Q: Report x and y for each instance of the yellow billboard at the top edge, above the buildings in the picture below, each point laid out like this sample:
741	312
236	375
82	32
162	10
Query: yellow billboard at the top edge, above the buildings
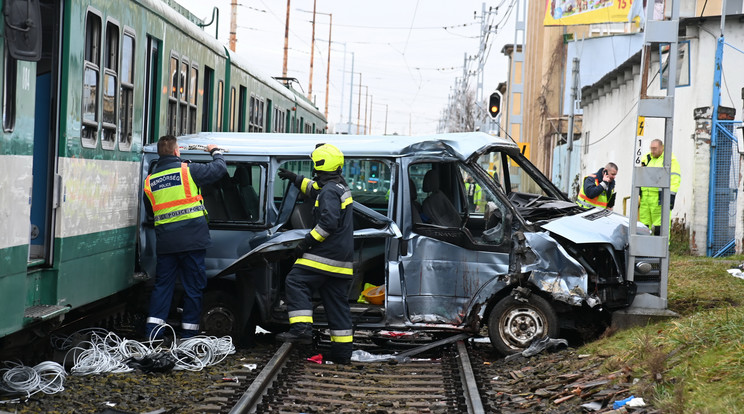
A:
571	12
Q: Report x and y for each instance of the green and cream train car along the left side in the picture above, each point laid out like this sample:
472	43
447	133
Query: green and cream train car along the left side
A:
85	85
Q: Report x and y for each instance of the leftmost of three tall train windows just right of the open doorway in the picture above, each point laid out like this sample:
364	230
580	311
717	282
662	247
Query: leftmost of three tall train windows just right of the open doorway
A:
91	70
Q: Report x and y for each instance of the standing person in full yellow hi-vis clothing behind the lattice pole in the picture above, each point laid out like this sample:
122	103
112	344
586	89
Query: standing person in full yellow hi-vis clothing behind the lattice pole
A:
650	203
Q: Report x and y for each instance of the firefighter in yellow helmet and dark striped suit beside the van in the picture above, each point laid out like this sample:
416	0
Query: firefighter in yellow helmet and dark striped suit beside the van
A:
324	256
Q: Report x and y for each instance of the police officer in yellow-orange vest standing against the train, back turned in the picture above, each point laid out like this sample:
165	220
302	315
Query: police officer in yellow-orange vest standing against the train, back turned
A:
174	198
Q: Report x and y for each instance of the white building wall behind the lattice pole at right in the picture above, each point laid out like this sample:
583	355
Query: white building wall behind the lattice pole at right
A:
610	120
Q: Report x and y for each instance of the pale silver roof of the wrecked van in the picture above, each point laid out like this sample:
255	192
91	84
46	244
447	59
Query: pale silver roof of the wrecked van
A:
460	145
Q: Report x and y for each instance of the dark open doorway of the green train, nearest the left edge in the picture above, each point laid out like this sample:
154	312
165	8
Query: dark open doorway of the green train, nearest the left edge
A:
45	182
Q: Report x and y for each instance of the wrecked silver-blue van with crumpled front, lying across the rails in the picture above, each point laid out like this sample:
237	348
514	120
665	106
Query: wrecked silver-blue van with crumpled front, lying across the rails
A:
461	229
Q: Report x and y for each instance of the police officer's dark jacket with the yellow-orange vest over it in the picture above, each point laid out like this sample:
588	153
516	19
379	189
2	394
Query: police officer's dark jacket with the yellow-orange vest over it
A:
173	196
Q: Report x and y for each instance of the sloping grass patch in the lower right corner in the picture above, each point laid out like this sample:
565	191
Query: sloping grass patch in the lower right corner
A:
694	363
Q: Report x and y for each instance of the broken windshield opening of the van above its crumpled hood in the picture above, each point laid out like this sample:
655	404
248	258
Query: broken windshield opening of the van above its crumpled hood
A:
529	191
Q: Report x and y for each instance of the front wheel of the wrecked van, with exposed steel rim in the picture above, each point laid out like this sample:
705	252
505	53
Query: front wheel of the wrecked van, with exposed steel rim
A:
513	324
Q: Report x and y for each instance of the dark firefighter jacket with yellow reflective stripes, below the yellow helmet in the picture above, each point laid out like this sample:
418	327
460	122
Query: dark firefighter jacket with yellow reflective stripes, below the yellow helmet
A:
331	240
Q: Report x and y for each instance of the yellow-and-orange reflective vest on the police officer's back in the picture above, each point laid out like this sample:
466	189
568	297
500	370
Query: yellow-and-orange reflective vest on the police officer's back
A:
174	195
